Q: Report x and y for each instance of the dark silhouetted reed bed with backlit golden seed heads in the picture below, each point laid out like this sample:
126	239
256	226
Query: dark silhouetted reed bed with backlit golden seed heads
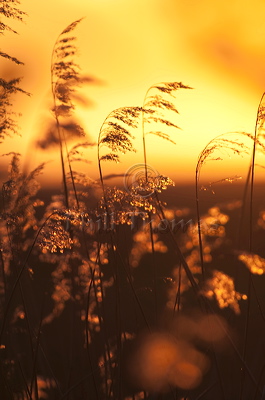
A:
108	292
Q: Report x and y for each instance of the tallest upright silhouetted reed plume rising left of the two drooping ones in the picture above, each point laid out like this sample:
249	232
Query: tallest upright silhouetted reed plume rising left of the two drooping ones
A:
65	79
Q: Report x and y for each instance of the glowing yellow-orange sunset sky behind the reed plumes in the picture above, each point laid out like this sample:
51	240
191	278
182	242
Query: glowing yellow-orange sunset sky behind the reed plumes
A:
215	47
